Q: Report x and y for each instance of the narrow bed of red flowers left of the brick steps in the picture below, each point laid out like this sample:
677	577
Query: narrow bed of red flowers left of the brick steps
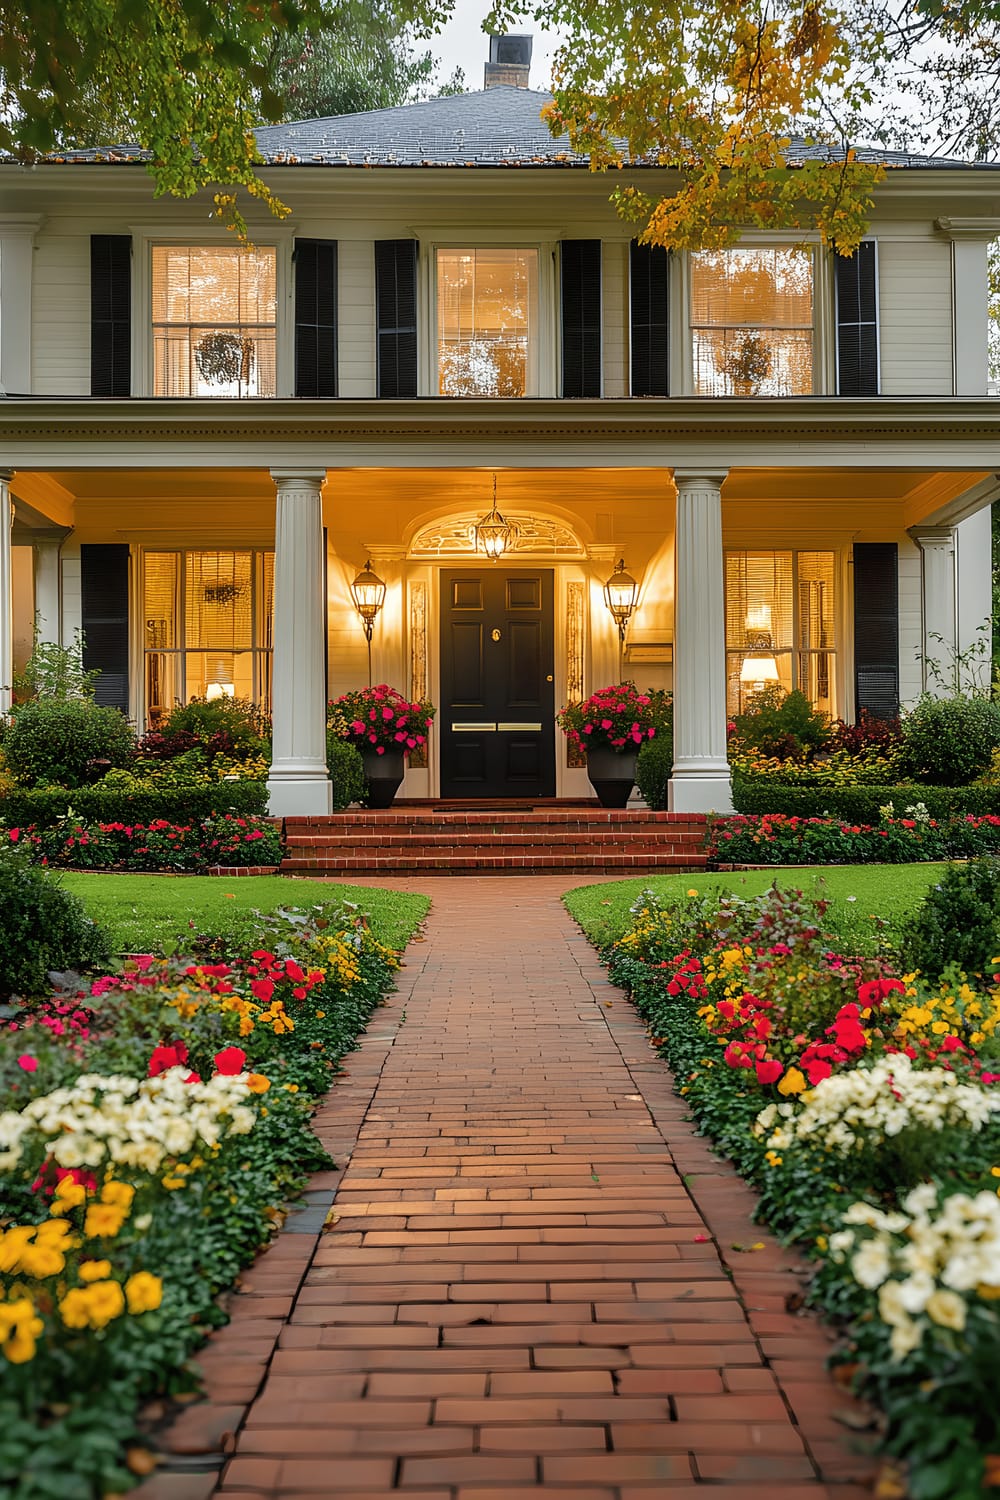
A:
229	841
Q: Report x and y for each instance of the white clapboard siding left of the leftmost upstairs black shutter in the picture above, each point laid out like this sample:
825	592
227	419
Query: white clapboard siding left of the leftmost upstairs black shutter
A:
61	323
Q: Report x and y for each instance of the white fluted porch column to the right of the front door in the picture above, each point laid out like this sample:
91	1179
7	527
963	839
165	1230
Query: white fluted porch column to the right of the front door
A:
701	782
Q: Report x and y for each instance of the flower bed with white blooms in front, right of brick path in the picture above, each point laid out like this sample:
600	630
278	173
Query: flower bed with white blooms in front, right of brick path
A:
866	1108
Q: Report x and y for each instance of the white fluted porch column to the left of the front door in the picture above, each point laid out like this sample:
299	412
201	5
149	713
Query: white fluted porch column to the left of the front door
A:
299	782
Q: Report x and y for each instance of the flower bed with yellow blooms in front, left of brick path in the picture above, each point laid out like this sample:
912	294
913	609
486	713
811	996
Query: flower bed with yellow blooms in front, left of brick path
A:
157	1121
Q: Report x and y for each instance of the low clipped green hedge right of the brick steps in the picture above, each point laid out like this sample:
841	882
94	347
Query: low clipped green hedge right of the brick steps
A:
861	805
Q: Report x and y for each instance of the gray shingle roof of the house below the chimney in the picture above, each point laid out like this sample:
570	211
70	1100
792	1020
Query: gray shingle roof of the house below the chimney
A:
493	128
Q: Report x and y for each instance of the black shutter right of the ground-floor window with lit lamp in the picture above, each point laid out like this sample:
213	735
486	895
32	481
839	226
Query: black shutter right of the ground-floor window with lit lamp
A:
876	629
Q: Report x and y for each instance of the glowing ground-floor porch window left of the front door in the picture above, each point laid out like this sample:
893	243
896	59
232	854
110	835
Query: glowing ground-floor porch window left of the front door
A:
206	628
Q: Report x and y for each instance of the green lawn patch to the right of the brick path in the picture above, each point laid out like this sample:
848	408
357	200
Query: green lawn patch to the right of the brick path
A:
860	895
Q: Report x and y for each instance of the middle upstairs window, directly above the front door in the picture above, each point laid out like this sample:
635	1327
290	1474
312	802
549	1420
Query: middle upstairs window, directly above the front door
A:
488	323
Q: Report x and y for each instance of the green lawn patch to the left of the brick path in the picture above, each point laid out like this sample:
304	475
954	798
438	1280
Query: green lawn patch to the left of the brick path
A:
142	913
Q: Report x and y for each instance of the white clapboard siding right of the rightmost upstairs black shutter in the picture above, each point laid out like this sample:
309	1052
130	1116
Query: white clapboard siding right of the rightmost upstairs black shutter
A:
915	299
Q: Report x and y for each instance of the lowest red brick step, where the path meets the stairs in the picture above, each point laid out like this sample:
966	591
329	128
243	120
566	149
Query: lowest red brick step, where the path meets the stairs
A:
636	863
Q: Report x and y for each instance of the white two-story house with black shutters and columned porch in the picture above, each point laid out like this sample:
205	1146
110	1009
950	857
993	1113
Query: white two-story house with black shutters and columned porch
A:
202	445
